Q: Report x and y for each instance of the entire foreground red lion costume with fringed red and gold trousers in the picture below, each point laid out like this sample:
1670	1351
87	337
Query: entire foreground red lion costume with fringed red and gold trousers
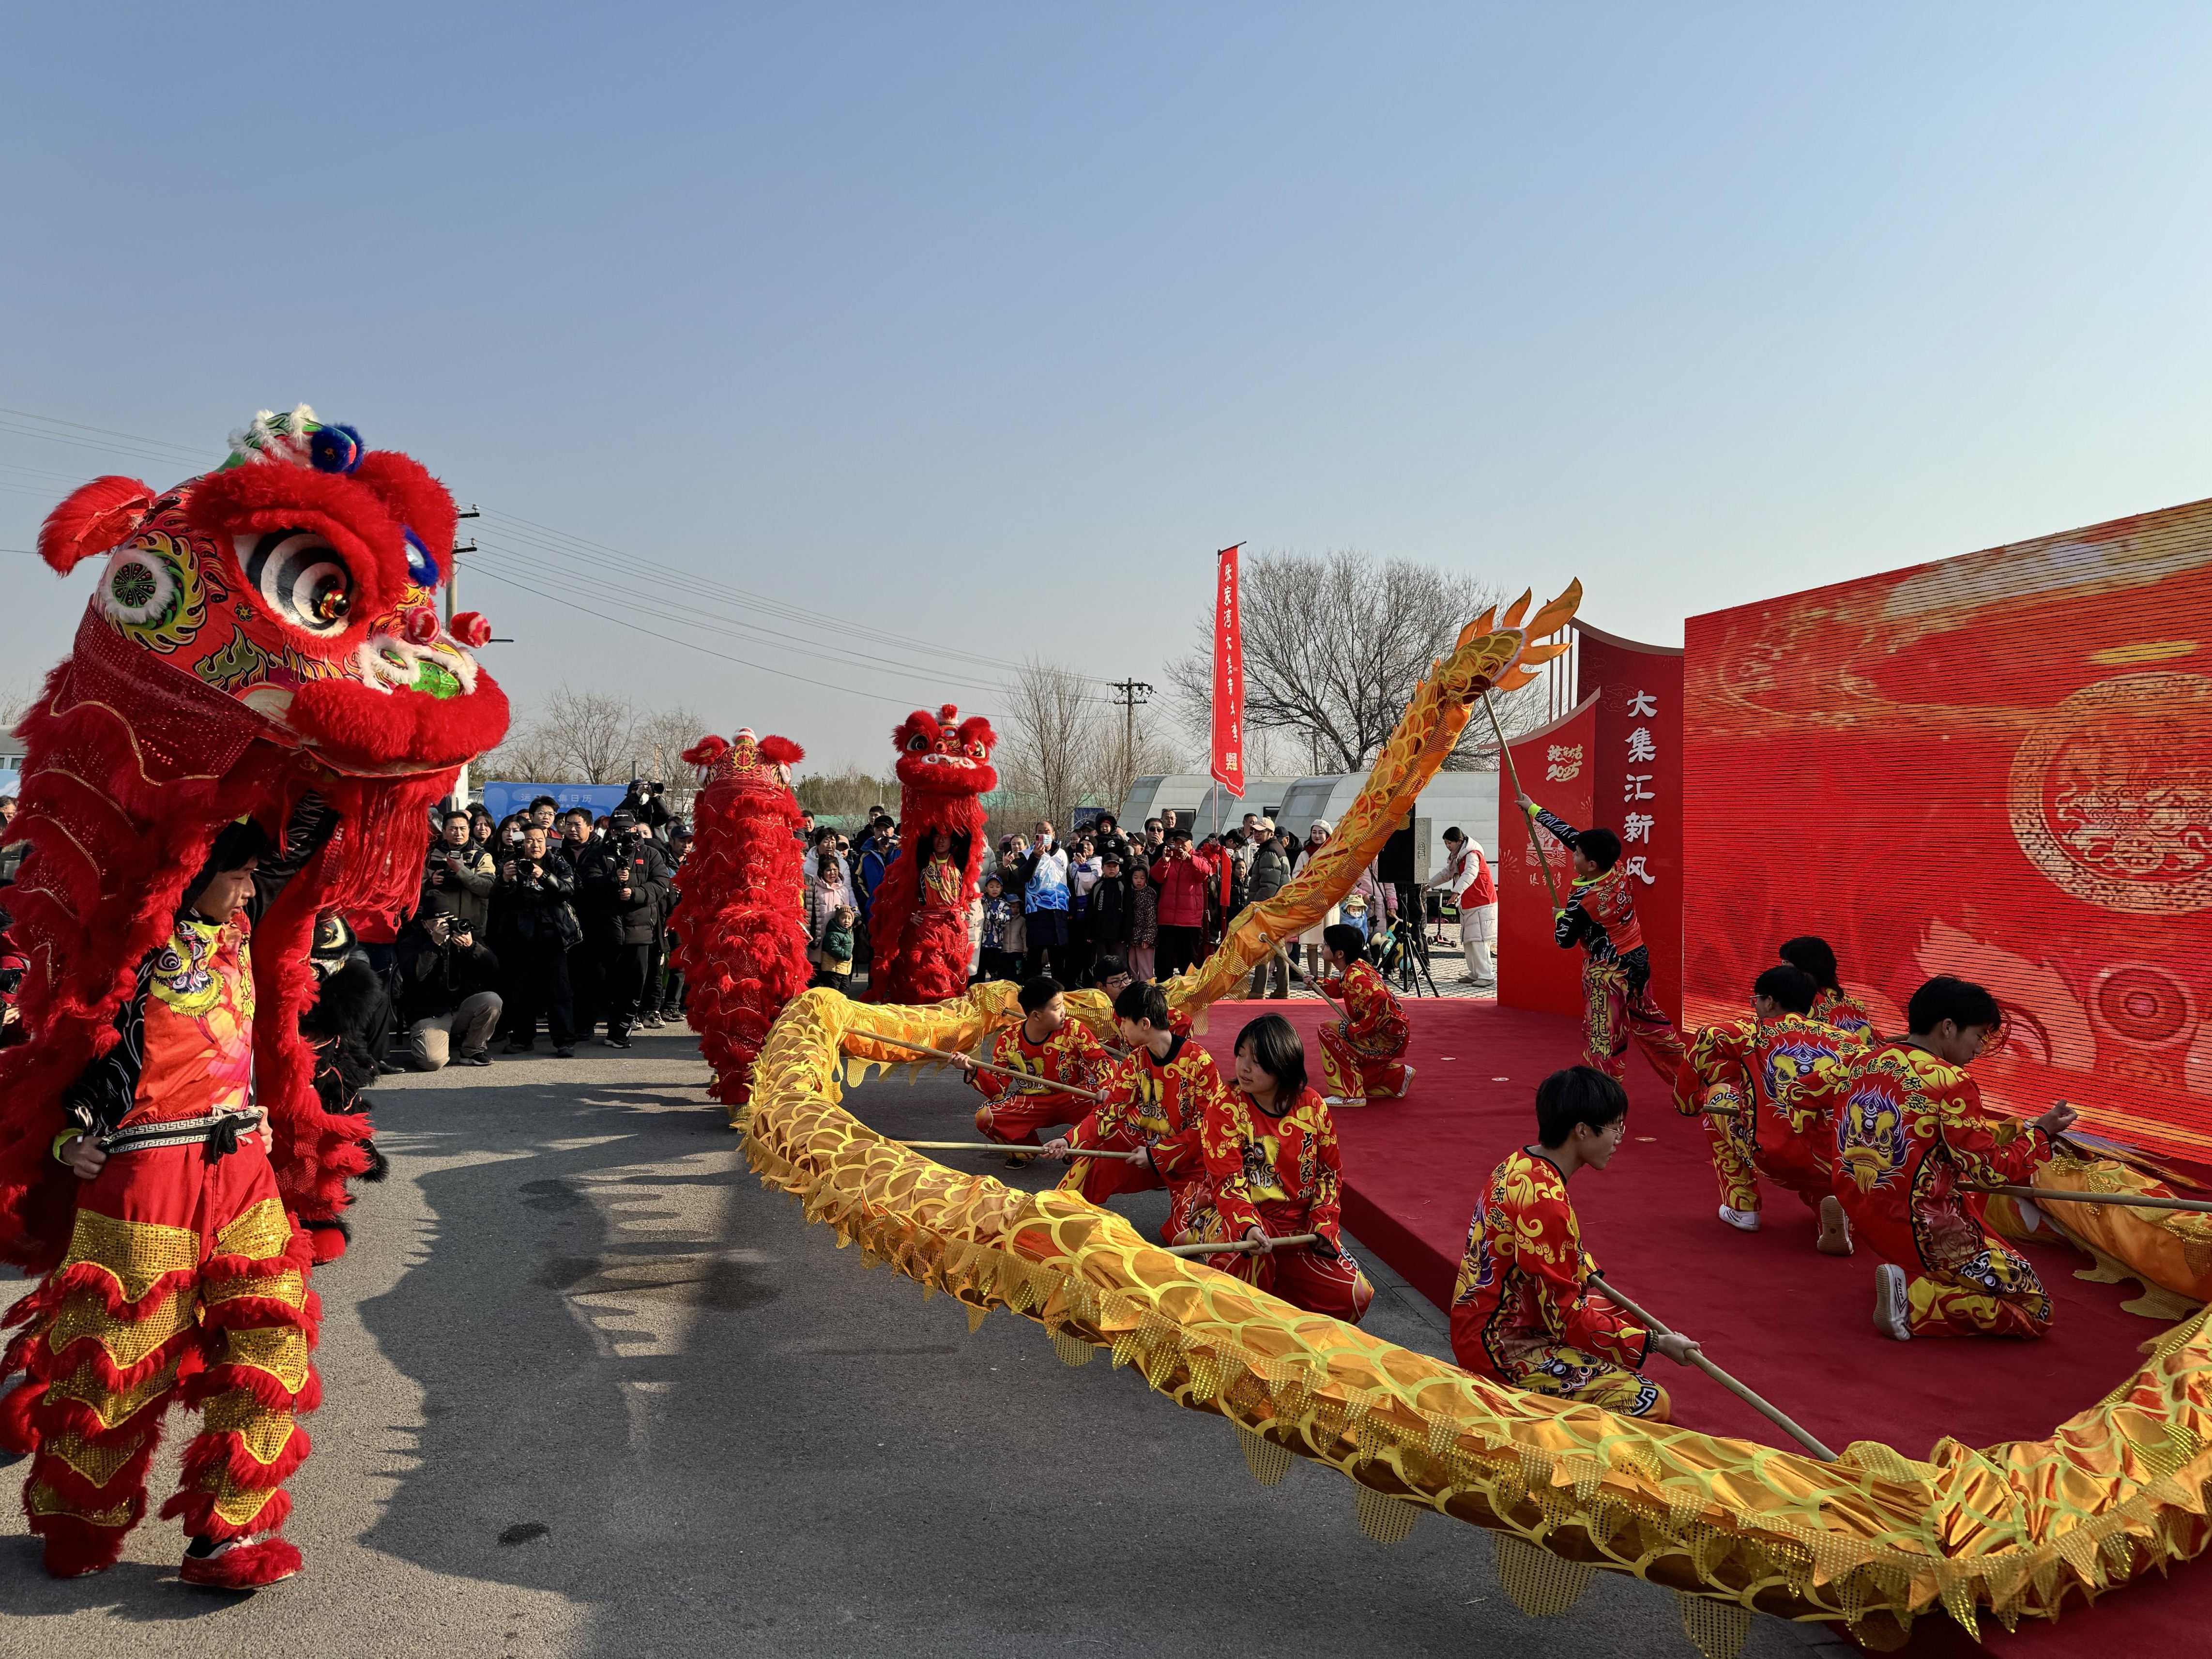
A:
264	645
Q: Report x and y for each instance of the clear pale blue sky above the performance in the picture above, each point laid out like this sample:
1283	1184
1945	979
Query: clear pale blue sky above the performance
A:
983	326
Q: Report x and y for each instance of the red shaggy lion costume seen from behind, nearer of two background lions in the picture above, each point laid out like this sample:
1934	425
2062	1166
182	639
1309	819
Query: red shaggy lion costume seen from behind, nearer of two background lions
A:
744	937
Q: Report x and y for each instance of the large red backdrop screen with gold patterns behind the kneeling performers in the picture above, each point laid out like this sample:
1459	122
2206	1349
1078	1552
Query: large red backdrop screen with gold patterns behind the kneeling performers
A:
1994	766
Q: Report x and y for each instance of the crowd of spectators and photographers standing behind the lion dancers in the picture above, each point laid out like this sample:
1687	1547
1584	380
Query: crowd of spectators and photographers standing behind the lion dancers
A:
556	924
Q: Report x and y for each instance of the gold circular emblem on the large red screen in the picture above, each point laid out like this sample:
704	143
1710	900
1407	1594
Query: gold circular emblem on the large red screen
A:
2111	795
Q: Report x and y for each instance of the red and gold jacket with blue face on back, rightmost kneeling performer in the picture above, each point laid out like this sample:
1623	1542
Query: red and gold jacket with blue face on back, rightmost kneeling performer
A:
1910	1140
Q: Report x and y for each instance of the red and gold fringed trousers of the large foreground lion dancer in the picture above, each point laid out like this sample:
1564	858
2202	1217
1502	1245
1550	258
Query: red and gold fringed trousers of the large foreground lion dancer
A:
182	1277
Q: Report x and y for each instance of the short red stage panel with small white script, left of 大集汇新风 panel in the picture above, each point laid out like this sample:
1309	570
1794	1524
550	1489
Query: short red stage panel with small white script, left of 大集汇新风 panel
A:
1558	766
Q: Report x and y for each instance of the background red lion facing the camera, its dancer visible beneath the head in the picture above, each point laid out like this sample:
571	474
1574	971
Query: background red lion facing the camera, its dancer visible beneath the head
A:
917	921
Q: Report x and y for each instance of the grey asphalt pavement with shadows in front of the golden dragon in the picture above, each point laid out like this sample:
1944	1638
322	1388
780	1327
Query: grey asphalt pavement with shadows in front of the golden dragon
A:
592	1390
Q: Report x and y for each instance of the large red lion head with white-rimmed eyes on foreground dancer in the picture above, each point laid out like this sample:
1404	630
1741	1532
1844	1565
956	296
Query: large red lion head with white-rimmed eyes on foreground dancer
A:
300	578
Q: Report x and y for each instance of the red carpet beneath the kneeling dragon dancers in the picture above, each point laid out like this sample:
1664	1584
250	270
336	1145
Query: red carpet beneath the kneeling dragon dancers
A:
1784	1319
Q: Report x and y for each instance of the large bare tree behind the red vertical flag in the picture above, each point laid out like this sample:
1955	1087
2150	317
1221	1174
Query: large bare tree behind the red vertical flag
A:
1335	649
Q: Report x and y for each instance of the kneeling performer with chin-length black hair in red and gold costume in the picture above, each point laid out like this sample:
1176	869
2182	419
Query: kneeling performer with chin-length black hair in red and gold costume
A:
1273	1171
